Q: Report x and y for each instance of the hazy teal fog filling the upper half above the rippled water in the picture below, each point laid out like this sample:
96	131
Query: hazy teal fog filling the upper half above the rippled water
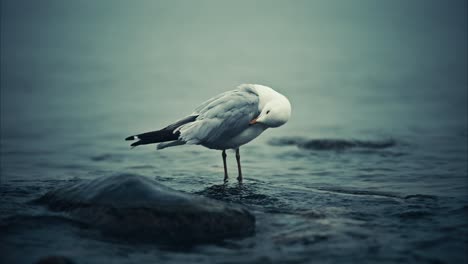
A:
376	64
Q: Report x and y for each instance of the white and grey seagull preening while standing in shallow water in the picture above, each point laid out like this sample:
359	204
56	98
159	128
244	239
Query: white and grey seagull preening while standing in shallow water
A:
226	121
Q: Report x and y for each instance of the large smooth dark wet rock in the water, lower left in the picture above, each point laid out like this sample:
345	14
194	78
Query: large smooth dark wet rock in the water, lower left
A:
138	208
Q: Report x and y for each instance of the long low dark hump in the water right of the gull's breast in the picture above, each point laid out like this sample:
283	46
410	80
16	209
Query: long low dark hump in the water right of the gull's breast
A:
332	144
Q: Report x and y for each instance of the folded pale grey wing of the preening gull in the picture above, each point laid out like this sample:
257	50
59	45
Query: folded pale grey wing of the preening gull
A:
221	117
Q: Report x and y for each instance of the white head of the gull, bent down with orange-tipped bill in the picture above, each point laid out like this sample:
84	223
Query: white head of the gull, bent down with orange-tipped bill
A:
275	113
